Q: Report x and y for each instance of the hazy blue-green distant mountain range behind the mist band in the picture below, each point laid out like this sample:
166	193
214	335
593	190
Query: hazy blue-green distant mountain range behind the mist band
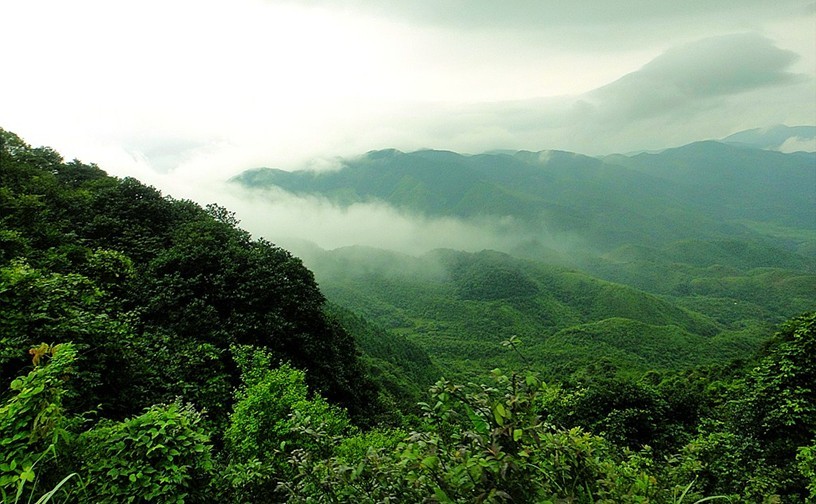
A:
704	190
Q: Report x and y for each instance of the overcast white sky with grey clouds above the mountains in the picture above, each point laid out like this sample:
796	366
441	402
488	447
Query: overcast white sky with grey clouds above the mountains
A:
174	91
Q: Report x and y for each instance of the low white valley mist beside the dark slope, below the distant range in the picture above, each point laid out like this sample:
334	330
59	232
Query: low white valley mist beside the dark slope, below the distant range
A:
310	226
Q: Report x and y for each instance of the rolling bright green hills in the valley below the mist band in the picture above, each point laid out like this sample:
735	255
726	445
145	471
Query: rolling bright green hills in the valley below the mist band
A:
459	307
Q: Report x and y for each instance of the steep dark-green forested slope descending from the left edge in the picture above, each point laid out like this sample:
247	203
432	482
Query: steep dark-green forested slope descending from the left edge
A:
154	292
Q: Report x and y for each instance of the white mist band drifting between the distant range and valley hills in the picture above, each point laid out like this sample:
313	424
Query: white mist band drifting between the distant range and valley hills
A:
285	219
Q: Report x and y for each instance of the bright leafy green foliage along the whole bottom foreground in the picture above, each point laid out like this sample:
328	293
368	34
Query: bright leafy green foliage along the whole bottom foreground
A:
512	439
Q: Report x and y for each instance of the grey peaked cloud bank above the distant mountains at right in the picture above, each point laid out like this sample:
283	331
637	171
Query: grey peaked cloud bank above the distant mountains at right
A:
691	92
